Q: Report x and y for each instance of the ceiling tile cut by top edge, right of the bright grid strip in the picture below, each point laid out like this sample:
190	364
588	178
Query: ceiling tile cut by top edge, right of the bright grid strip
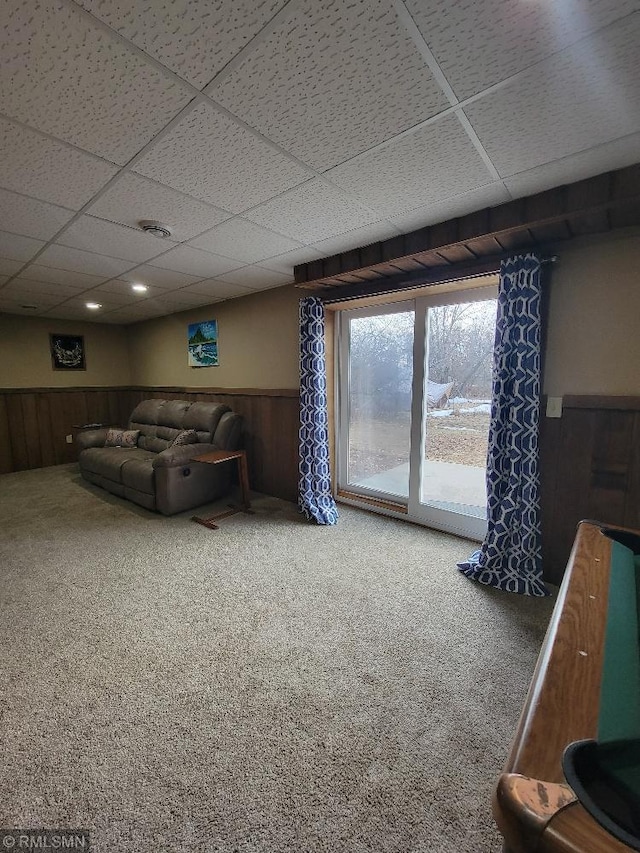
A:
478	43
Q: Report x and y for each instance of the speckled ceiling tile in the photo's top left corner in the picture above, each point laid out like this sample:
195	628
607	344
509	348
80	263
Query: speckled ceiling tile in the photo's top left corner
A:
72	79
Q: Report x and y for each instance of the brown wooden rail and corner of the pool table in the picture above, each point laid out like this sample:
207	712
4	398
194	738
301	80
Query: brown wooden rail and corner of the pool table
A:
533	806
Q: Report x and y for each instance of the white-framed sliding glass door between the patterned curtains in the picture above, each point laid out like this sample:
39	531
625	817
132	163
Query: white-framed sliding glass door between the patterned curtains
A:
414	382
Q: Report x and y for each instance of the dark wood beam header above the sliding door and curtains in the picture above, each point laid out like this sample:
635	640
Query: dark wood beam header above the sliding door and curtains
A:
480	239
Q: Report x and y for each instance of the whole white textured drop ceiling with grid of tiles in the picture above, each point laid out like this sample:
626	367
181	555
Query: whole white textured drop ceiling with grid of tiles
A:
269	133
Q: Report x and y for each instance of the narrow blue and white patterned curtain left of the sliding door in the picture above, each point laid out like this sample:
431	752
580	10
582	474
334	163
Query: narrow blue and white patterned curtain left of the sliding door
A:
315	499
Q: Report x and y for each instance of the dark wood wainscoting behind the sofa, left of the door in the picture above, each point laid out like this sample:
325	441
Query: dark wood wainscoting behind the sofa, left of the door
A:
34	423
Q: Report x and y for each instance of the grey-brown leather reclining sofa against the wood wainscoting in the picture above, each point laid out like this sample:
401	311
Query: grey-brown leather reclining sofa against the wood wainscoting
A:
156	474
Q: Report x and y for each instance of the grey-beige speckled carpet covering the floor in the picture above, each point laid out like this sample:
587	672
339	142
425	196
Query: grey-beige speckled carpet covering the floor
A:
271	687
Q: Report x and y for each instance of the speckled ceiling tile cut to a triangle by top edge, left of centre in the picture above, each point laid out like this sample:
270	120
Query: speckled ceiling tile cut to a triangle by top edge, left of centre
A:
194	39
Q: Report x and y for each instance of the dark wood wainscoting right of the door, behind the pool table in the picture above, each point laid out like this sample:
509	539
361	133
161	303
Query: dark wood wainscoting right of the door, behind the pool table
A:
590	468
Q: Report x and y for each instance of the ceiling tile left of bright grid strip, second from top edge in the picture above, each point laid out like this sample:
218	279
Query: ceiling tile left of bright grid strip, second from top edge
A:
428	165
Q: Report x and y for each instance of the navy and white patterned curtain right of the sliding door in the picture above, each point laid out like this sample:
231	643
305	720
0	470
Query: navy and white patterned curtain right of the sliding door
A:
510	557
